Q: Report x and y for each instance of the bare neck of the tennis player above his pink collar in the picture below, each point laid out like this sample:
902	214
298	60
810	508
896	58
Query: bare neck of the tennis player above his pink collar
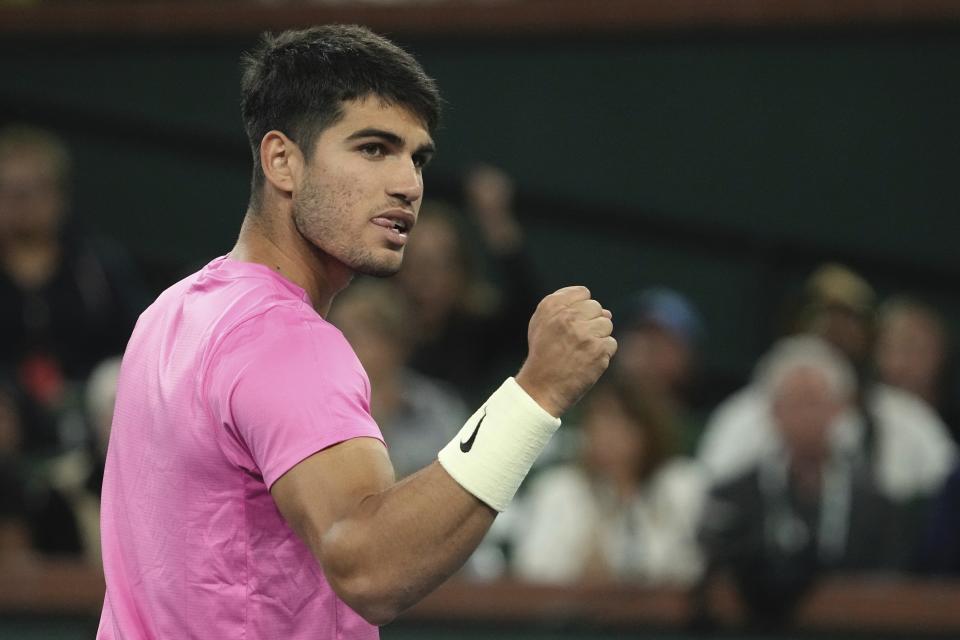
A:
274	241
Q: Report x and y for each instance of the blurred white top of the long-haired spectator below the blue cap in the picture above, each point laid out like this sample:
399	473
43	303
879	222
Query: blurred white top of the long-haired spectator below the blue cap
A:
573	525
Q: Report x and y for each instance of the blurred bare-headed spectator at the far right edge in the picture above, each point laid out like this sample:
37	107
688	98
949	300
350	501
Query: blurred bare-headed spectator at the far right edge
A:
912	350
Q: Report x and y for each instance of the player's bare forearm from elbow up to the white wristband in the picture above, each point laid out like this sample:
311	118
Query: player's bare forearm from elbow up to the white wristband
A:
402	543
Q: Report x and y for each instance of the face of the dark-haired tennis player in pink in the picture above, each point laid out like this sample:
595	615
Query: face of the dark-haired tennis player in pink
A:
362	188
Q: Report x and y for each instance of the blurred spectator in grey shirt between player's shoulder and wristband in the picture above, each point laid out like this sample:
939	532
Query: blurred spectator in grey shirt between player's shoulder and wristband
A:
416	414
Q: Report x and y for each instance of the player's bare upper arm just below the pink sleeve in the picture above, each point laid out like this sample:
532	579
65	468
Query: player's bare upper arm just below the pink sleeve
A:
330	485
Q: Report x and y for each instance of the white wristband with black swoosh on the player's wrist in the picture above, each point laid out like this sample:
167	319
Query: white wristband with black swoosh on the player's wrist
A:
493	452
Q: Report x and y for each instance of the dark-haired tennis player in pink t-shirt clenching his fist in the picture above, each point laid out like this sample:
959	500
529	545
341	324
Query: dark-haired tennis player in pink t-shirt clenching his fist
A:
248	492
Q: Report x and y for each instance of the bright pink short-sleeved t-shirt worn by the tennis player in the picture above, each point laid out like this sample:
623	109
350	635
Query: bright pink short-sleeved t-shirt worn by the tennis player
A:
229	380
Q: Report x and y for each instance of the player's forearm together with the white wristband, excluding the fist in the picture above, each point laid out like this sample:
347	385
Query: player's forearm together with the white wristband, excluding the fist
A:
398	543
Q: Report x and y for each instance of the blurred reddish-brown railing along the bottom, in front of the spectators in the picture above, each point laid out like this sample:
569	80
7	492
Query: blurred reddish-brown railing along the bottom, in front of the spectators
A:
861	605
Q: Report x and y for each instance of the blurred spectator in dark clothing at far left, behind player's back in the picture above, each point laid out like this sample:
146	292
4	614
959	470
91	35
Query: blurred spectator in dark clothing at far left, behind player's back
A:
68	301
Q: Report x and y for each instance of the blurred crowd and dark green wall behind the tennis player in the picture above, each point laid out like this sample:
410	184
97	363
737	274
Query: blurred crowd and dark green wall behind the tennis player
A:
767	201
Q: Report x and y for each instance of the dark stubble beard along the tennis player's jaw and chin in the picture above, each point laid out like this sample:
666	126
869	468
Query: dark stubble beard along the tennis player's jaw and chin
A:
320	221
